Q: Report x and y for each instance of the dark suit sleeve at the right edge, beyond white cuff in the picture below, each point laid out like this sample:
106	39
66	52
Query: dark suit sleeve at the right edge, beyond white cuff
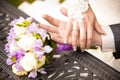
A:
116	32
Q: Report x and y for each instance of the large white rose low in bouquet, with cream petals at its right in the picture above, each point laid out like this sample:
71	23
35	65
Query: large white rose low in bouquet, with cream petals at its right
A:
30	62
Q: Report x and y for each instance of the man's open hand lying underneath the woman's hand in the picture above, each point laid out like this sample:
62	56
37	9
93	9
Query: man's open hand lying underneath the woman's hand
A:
57	29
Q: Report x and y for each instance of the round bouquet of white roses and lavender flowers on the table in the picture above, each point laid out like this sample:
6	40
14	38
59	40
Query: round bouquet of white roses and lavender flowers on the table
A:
29	48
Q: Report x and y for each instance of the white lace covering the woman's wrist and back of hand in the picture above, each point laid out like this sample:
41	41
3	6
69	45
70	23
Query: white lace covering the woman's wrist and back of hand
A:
76	8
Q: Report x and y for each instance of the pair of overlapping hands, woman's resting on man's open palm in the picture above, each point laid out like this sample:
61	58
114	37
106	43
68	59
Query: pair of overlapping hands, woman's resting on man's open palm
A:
70	32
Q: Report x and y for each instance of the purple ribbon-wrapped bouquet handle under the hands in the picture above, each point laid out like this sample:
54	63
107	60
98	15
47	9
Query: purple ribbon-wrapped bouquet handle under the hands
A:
62	47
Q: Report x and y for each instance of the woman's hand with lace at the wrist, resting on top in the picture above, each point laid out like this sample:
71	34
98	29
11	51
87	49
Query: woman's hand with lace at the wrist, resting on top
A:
85	30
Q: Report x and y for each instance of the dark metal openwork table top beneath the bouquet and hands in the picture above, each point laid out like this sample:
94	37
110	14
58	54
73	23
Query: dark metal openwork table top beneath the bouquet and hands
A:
69	66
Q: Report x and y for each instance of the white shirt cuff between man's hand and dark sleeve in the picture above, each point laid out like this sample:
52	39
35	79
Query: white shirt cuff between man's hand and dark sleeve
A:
108	43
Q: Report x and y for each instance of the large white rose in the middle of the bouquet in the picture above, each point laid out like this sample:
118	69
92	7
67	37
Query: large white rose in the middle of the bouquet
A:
26	42
